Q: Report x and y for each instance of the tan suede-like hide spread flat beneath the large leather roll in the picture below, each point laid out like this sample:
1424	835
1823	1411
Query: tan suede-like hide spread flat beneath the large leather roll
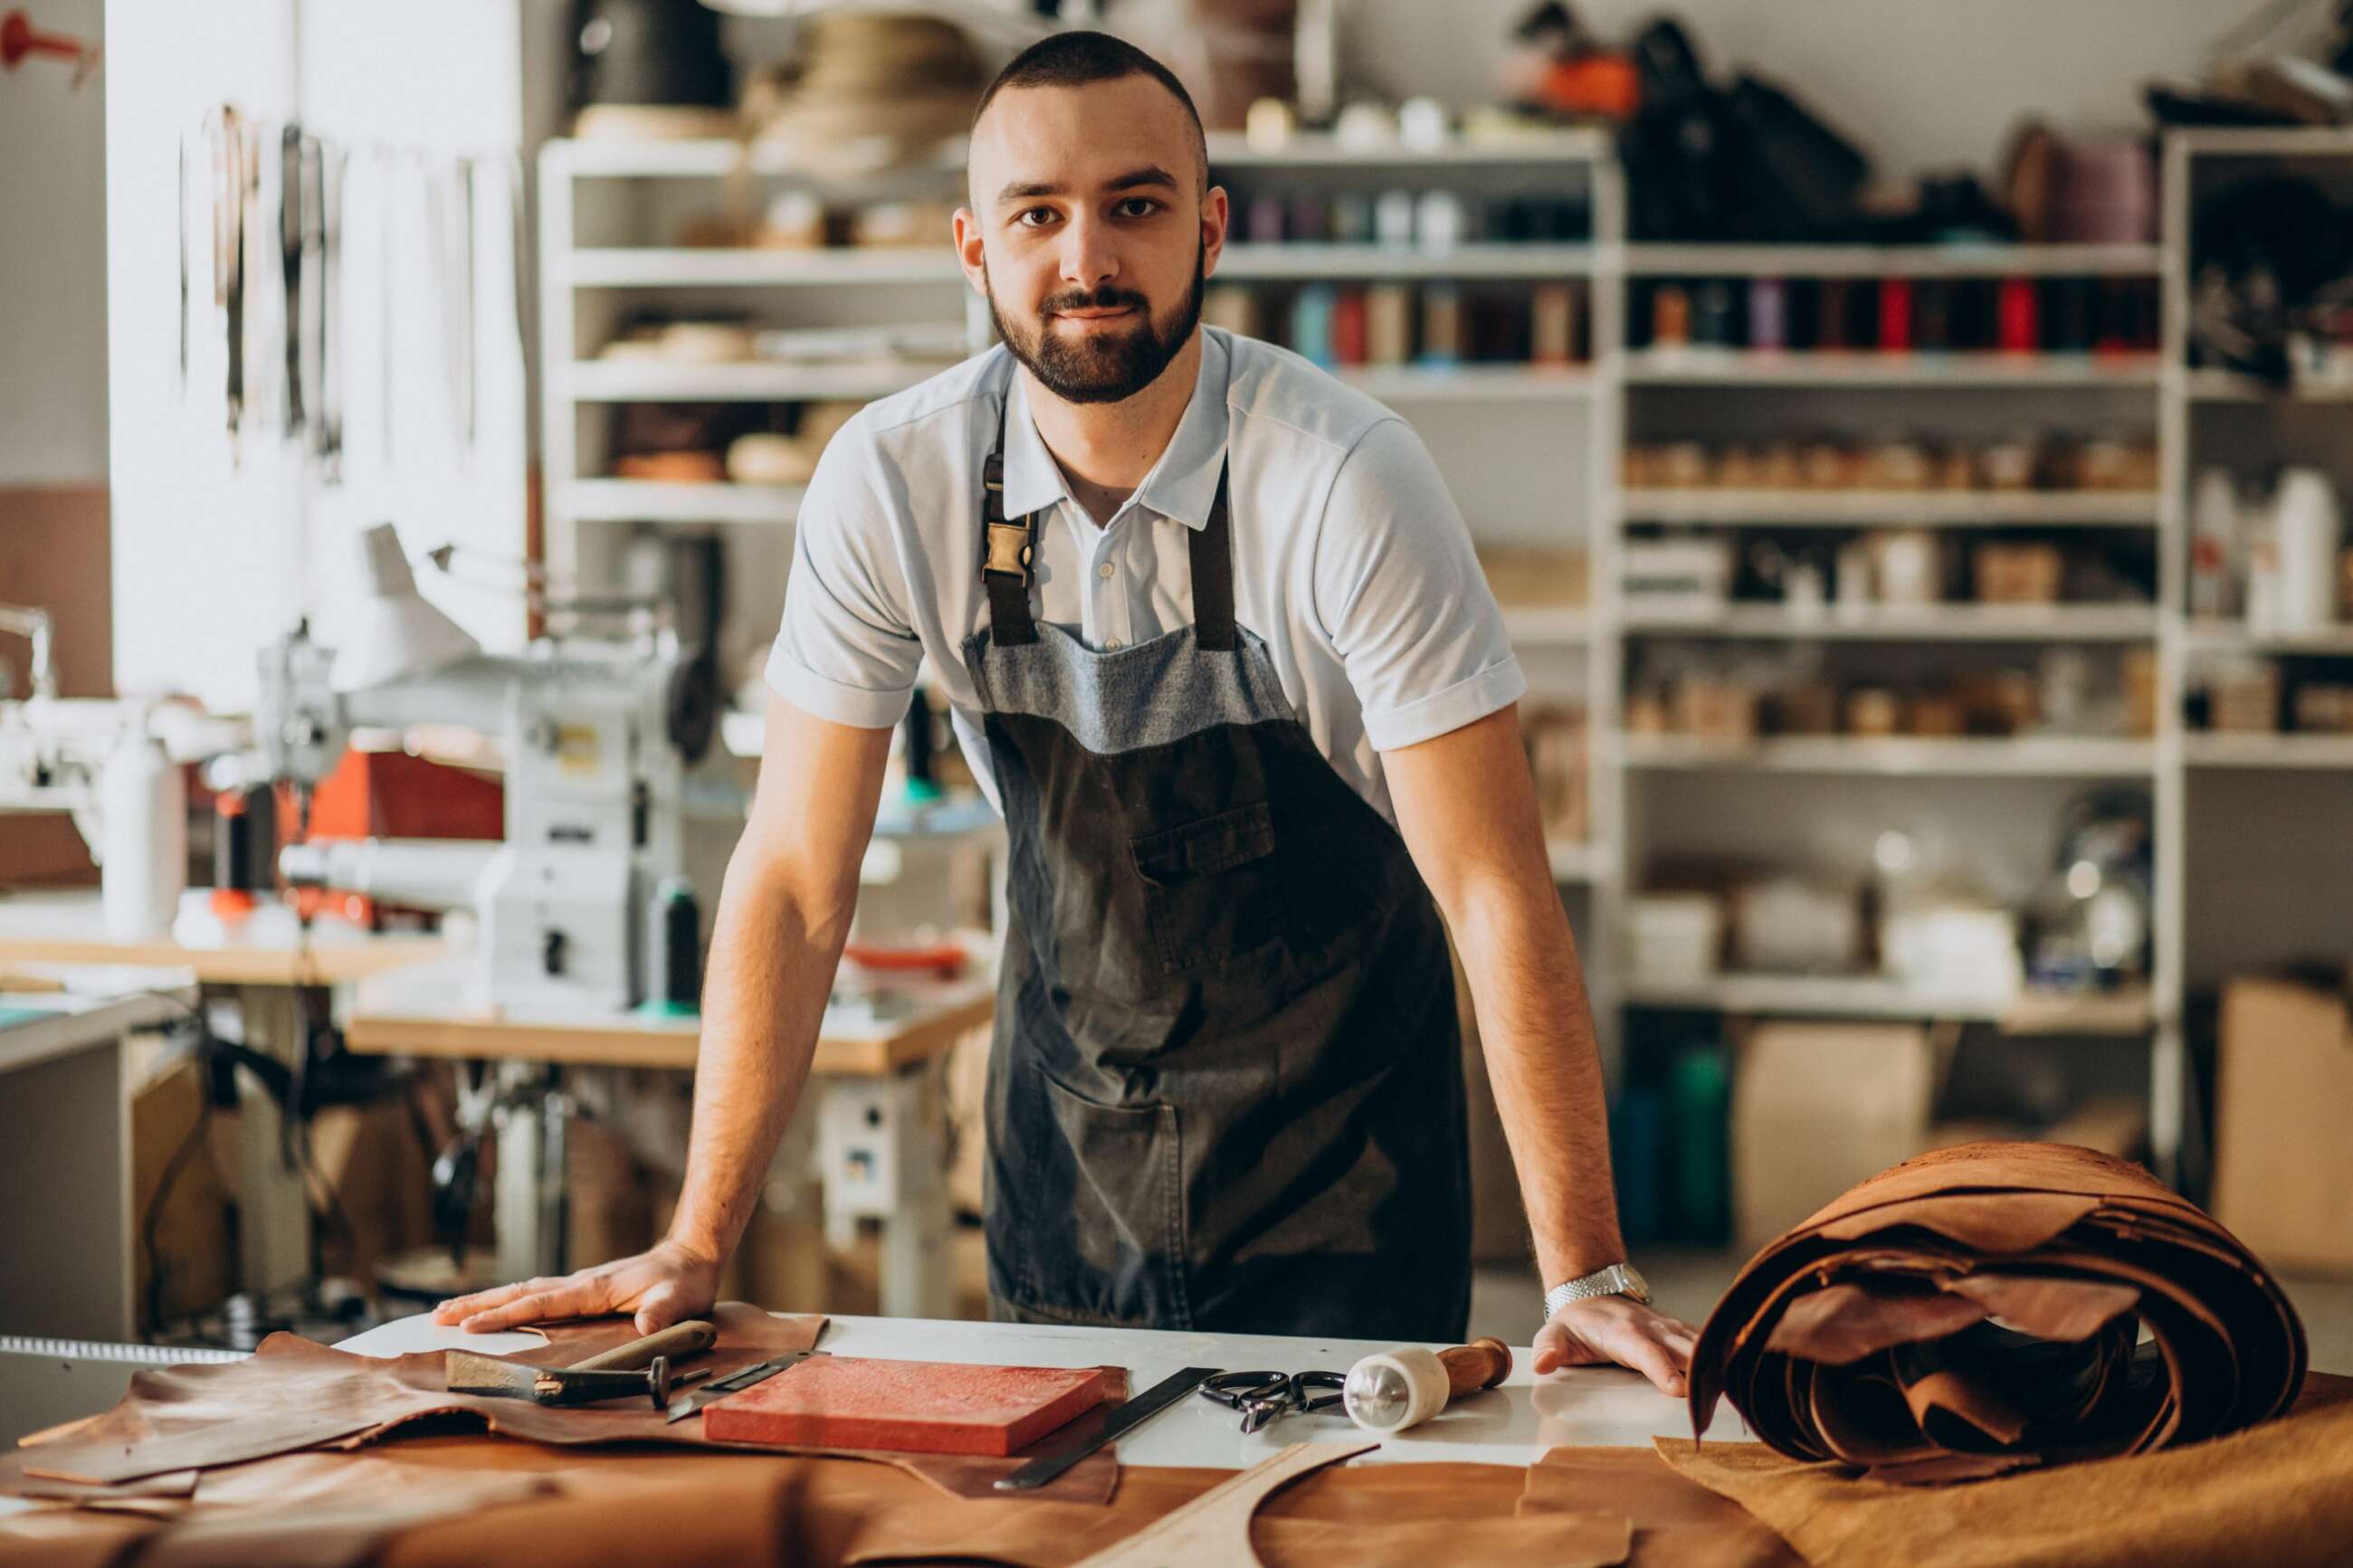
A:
2279	1494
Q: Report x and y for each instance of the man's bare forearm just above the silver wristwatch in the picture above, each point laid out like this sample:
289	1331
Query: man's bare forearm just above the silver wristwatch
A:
1538	1038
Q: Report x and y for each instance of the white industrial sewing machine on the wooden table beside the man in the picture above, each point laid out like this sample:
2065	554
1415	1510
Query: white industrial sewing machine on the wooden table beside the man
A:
599	739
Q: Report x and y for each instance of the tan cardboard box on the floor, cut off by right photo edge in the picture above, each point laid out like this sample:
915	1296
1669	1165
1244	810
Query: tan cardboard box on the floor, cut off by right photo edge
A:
2284	1092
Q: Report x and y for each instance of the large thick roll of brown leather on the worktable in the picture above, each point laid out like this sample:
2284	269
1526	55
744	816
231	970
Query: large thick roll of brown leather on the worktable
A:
1999	1306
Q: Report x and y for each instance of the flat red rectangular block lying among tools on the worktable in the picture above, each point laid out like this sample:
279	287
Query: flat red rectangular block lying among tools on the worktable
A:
905	1407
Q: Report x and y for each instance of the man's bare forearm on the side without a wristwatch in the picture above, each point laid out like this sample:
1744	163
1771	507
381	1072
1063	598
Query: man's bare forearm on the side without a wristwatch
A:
773	953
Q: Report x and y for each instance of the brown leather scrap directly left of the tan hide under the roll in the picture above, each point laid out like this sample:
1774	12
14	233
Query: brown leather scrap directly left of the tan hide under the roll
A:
1677	1522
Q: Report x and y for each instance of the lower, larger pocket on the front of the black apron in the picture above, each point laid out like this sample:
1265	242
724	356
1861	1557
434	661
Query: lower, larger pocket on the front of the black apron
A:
1121	1261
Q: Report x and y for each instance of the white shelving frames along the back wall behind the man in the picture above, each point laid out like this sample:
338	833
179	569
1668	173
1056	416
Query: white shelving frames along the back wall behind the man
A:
1594	406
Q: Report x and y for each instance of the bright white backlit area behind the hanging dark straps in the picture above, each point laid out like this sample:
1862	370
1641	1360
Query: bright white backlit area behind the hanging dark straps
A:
220	544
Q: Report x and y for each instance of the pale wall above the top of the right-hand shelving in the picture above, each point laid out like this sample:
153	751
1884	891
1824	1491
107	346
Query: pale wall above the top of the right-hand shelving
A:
1919	83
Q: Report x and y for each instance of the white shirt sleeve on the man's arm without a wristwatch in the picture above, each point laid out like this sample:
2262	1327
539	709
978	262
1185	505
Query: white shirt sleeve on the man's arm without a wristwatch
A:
846	650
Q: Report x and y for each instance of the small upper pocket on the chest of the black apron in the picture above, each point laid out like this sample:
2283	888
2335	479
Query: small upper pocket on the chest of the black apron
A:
1211	887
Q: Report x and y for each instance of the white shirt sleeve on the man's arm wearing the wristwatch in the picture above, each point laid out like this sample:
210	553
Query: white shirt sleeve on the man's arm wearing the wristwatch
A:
1404	598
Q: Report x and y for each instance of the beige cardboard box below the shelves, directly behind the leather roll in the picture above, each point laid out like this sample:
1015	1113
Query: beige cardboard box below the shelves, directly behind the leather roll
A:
1815	1111
